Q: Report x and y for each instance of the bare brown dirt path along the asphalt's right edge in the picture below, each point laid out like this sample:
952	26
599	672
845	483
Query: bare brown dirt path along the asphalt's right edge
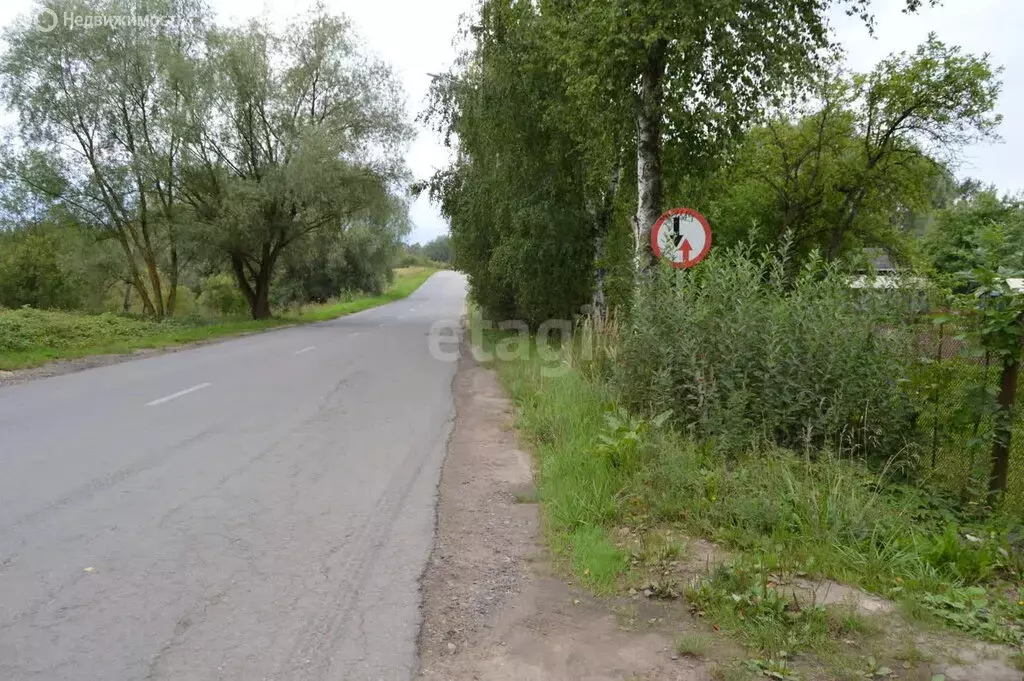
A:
493	609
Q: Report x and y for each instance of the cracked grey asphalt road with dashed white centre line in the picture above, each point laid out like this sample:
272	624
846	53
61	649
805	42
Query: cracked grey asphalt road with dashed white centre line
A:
261	508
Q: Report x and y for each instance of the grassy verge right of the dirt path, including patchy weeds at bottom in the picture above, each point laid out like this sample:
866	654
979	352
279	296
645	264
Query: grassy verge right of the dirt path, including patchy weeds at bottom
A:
605	476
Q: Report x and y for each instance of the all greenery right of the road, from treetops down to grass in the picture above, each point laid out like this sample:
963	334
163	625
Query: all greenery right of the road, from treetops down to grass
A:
787	397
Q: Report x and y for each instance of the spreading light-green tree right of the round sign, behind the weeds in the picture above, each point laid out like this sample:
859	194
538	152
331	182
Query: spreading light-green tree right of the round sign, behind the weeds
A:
845	176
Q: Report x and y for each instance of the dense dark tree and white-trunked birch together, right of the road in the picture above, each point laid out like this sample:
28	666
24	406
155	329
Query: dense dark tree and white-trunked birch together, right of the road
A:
552	100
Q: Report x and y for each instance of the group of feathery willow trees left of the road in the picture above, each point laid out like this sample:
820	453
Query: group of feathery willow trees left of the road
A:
150	162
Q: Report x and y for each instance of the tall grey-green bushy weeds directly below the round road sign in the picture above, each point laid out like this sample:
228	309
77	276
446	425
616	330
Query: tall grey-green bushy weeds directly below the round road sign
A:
745	353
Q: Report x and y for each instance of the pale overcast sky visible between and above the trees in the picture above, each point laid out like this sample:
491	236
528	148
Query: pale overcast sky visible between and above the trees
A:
416	37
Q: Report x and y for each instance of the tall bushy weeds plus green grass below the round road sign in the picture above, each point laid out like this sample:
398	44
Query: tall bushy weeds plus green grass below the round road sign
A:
736	411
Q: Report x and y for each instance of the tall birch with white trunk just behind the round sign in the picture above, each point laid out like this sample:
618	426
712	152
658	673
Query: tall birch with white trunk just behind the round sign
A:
692	74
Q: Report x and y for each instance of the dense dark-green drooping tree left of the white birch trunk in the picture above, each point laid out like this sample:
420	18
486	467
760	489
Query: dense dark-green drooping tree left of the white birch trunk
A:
516	196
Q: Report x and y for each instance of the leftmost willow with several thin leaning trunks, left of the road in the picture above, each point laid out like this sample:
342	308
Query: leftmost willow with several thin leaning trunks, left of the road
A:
100	113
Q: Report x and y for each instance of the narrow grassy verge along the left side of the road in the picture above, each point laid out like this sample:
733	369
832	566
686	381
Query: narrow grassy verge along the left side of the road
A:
30	338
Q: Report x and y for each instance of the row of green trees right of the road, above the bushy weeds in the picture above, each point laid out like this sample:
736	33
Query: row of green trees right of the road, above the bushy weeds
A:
577	126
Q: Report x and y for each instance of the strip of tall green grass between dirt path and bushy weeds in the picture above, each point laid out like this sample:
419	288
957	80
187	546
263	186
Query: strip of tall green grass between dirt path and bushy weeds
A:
784	512
